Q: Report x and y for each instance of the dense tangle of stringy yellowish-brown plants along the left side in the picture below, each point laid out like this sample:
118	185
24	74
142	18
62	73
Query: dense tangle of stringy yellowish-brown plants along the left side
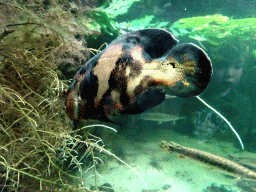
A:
39	49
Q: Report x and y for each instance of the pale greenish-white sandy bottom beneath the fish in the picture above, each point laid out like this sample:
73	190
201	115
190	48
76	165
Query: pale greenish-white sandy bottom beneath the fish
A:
158	168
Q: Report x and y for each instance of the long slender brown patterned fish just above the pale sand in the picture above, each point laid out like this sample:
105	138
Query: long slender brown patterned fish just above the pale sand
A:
215	161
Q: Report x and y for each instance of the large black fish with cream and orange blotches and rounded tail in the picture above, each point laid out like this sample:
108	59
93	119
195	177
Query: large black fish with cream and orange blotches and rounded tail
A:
133	74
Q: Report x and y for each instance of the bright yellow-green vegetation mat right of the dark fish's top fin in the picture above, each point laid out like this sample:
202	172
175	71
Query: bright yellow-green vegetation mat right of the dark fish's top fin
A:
215	29
